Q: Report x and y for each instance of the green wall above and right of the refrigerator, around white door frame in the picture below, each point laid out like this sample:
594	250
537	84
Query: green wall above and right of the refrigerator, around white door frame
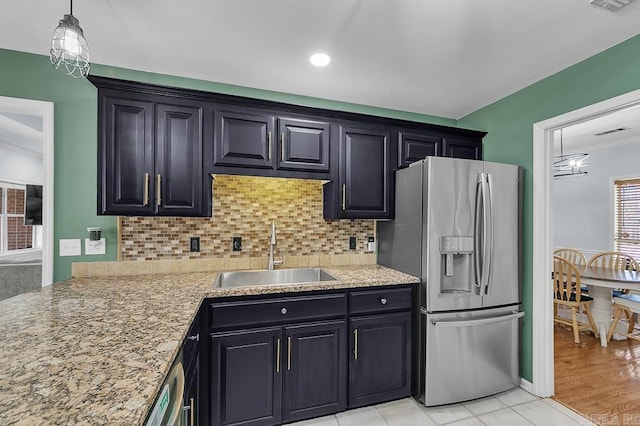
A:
509	123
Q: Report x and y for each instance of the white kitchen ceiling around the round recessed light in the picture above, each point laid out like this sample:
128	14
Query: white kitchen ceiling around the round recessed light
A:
440	57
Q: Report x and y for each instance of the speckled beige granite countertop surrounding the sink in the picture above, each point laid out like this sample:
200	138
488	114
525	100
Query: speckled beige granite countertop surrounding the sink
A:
95	350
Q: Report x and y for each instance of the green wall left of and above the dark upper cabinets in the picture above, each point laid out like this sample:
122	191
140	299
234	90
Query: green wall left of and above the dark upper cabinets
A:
24	75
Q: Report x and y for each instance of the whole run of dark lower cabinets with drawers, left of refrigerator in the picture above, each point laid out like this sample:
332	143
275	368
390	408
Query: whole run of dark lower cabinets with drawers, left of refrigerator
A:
307	355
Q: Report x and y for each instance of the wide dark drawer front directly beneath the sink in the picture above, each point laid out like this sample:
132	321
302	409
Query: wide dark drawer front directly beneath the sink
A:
285	309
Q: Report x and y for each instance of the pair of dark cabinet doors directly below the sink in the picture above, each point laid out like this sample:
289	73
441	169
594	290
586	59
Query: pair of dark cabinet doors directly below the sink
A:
252	368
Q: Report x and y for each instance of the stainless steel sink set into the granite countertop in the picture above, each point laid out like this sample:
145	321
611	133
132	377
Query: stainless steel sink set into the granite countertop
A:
272	277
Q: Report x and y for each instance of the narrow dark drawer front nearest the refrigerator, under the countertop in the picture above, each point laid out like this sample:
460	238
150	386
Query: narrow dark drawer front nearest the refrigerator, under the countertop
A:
380	300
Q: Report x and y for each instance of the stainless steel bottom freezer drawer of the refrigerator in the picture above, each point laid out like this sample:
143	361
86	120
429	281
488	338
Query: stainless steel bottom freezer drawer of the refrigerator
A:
470	355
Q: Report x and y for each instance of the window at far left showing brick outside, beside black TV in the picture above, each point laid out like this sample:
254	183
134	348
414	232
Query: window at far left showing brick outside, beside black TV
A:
14	235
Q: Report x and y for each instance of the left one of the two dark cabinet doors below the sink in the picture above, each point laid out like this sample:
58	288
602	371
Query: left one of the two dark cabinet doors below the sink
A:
246	383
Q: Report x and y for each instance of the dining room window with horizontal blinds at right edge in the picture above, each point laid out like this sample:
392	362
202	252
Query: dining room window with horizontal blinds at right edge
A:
627	217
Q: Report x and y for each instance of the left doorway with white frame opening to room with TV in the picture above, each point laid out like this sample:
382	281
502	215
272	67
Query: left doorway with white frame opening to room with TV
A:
26	181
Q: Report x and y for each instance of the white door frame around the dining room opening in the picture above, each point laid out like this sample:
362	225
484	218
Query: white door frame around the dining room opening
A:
543	231
